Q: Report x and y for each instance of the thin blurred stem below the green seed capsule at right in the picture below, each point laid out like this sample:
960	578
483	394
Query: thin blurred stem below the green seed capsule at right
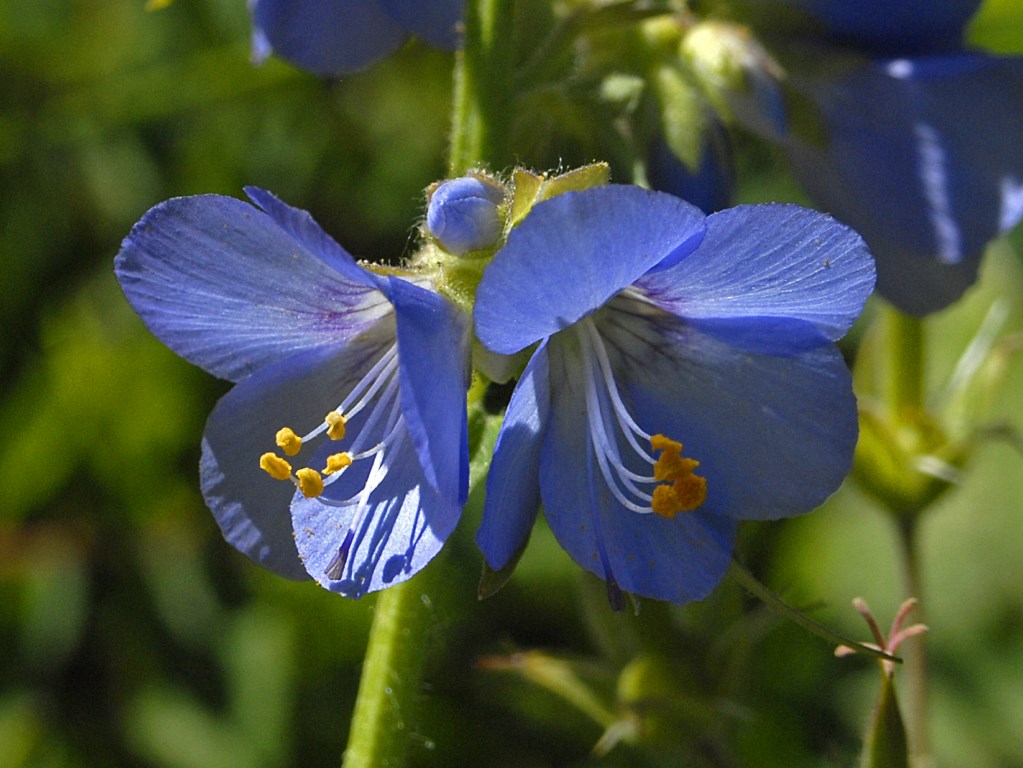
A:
918	687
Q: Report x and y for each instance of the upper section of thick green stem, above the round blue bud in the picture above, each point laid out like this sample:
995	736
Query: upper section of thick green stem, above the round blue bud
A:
483	87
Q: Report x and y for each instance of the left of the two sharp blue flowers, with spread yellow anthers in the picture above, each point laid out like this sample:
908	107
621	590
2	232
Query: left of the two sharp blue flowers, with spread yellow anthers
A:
372	369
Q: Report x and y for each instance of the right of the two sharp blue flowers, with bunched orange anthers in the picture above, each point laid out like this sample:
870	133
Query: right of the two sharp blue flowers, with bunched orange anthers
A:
686	378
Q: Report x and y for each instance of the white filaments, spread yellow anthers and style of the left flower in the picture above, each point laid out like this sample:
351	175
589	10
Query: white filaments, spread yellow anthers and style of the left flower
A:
377	394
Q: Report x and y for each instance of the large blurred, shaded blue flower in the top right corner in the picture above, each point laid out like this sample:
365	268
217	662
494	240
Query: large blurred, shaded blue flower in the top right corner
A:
914	141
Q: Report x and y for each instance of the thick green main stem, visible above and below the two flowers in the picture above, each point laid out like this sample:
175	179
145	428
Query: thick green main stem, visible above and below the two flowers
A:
389	689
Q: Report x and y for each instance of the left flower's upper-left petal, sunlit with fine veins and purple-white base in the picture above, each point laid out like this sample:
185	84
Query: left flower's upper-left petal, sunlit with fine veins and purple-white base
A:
223	285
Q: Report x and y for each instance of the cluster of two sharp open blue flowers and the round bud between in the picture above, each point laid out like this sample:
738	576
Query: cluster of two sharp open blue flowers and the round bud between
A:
684	377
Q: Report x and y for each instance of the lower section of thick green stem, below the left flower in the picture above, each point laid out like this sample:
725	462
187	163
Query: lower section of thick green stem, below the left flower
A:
389	689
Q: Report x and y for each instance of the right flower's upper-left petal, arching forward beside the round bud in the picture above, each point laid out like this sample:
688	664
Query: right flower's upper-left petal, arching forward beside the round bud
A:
573	253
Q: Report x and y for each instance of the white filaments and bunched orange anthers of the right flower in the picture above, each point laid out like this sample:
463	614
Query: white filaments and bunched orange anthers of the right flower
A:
671	487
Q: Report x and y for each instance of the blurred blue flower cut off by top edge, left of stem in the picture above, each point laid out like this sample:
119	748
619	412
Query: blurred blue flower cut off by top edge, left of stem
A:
332	37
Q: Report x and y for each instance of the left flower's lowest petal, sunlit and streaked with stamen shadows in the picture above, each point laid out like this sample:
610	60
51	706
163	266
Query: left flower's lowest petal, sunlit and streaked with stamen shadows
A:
405	527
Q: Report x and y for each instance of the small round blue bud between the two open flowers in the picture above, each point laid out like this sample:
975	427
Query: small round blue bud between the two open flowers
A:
464	214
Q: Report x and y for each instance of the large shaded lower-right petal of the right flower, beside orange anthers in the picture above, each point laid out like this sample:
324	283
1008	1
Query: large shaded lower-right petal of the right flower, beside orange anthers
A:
775	435
